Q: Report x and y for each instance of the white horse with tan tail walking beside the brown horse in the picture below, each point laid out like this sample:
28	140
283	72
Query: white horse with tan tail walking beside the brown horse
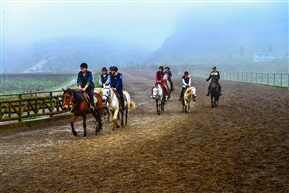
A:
114	108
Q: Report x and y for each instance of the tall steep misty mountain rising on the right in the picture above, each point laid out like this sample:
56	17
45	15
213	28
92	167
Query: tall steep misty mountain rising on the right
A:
228	37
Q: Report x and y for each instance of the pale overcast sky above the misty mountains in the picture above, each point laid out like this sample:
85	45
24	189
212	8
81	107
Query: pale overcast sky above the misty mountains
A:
147	23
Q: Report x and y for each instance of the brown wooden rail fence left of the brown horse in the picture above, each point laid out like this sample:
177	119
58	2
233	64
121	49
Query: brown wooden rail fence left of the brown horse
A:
26	106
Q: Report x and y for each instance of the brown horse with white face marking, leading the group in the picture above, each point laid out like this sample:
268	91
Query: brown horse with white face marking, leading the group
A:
80	107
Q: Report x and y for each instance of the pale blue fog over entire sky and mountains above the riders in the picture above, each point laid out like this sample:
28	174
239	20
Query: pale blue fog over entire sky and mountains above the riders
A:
142	32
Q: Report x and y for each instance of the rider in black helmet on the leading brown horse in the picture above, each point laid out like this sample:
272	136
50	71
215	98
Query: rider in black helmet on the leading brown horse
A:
85	83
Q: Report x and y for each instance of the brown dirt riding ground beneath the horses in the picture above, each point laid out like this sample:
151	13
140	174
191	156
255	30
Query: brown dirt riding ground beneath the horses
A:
241	146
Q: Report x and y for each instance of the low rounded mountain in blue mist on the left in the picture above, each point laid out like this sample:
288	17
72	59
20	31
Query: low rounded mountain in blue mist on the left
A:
67	53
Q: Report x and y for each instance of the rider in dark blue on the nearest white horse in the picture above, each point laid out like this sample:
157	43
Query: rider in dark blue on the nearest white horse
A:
116	83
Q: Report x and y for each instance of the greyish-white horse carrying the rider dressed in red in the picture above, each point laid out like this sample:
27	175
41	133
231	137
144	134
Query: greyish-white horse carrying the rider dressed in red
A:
159	96
